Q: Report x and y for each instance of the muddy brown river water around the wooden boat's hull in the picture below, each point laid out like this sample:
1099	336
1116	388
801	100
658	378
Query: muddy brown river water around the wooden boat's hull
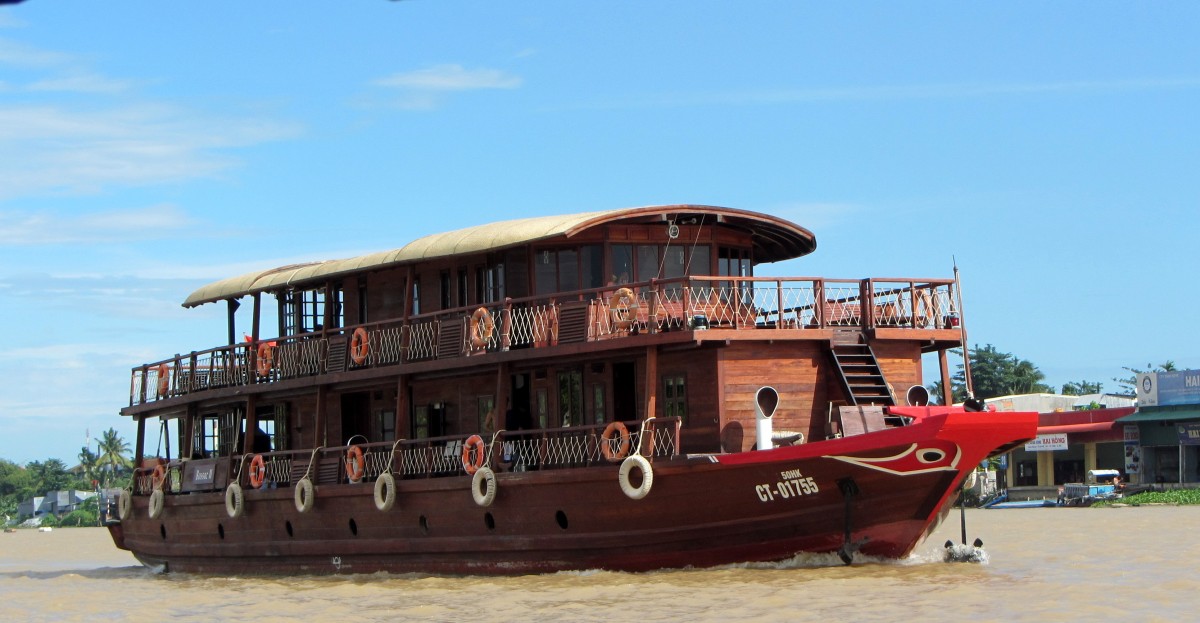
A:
1130	565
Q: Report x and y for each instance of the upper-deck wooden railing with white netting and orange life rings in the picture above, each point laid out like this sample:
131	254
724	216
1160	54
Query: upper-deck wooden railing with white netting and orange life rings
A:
693	303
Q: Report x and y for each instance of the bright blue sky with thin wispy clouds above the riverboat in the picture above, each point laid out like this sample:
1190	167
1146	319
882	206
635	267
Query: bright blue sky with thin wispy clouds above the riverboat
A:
1052	149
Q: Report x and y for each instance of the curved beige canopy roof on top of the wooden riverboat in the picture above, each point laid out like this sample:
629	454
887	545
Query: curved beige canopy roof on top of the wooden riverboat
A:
775	241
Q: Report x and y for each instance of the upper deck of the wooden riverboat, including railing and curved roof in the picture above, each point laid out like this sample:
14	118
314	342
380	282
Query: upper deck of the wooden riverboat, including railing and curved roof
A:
542	287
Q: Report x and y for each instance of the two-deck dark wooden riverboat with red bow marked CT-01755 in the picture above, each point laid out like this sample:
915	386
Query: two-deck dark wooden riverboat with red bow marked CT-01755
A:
604	391
